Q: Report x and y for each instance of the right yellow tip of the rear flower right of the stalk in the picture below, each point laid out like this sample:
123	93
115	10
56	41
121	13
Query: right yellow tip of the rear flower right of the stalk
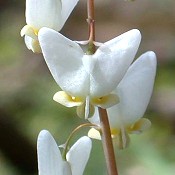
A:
139	126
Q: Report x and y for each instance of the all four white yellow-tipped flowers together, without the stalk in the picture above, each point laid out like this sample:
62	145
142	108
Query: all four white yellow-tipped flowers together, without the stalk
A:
104	79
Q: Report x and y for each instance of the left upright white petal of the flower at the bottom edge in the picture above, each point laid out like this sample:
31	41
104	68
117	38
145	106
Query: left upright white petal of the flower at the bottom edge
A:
49	157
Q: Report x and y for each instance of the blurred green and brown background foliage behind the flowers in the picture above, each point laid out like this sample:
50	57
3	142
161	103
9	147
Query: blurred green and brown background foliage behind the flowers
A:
26	86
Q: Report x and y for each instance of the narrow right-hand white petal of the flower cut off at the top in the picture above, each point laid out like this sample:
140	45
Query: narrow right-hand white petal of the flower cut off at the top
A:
67	7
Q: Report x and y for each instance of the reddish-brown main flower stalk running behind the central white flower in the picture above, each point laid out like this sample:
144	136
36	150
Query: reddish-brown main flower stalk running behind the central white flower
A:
104	123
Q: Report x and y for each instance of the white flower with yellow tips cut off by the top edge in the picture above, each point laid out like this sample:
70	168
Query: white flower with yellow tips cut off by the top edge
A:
44	13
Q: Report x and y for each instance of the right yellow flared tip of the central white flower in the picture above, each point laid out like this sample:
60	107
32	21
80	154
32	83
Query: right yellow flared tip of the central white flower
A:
106	101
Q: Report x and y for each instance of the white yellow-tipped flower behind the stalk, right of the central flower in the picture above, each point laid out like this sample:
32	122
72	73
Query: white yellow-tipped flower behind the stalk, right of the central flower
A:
134	92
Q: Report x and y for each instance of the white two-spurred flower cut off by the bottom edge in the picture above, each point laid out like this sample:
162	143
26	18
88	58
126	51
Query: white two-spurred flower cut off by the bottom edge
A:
50	161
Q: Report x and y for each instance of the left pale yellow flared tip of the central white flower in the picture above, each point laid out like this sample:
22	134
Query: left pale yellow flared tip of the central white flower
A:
67	100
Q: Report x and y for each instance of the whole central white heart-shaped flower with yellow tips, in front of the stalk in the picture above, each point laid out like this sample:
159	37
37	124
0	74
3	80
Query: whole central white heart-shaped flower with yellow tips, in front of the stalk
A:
88	80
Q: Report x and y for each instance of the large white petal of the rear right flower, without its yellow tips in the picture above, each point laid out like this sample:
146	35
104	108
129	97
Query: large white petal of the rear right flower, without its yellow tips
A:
134	91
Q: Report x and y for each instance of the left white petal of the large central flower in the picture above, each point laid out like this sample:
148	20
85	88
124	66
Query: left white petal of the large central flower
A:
64	59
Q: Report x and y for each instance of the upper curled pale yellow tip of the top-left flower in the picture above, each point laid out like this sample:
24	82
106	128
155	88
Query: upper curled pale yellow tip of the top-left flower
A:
29	31
